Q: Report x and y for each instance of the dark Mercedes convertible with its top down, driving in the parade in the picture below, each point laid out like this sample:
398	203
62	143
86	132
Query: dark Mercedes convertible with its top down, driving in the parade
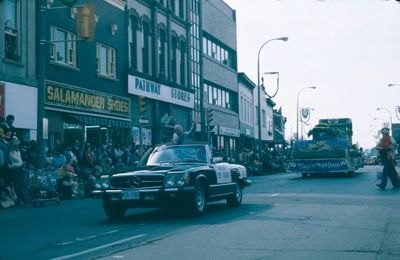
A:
184	175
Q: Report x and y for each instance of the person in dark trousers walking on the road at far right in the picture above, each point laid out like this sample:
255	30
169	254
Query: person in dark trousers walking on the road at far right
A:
386	151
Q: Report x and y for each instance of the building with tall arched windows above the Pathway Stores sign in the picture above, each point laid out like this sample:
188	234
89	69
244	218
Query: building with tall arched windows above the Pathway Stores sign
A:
158	68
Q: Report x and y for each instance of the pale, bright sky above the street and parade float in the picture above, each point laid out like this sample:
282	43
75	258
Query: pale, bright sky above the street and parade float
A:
348	49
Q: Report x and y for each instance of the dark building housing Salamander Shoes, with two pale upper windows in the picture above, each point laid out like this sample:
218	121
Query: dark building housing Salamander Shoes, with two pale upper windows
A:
85	80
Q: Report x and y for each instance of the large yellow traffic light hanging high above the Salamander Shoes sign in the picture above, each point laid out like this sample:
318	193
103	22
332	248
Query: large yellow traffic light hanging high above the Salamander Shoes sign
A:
86	22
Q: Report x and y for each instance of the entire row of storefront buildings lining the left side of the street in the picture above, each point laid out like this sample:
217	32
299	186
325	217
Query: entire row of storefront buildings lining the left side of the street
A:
151	64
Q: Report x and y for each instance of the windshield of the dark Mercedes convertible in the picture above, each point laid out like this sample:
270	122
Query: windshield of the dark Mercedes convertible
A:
177	154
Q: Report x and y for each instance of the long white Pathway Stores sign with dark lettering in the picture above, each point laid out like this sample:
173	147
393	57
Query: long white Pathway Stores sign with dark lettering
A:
143	87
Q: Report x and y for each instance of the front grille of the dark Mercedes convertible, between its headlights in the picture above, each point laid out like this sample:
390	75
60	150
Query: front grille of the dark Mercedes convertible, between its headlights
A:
137	181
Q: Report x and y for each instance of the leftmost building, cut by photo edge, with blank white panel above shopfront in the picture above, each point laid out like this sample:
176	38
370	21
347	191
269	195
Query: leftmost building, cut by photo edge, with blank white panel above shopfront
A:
18	81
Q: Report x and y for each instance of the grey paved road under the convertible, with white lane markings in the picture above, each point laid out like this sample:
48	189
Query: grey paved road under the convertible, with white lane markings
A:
283	216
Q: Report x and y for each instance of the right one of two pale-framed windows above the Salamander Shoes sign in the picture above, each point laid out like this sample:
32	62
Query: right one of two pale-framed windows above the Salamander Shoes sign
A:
106	60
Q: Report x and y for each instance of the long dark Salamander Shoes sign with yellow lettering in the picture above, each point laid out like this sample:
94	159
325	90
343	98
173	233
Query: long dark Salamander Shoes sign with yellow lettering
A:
87	100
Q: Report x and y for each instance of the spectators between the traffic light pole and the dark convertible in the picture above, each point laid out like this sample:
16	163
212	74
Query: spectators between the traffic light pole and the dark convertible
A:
78	166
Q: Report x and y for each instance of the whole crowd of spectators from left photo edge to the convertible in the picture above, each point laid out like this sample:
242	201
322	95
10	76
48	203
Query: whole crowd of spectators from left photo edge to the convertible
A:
75	166
